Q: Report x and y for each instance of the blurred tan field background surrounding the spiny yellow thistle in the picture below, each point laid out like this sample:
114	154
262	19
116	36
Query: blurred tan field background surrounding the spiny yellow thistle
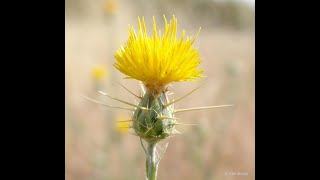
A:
223	142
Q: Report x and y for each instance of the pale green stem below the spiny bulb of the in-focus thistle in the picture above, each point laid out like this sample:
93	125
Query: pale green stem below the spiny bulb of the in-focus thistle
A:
151	162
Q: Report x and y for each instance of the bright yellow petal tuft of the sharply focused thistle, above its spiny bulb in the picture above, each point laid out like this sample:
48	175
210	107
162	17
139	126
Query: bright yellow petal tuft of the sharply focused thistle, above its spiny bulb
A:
160	59
